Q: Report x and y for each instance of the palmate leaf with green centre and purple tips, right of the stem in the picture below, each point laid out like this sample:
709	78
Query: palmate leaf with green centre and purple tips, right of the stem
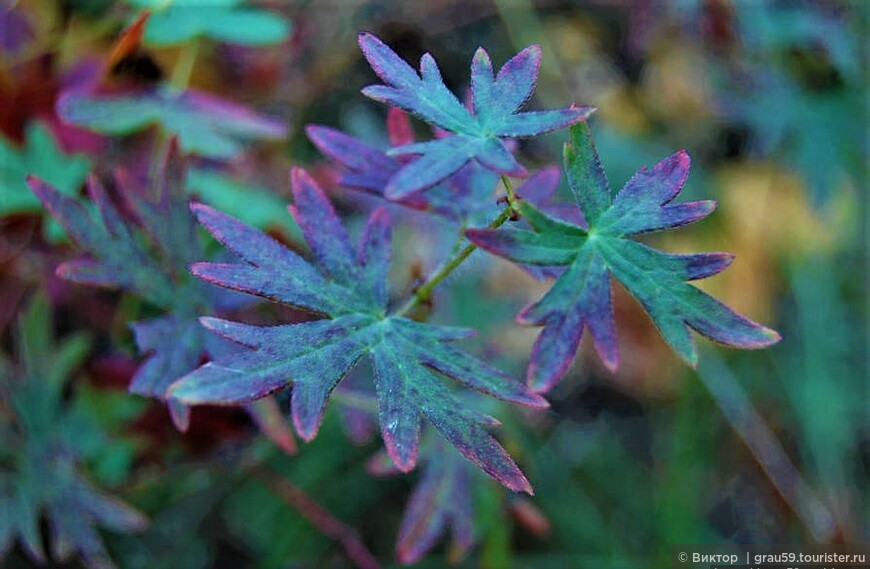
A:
581	297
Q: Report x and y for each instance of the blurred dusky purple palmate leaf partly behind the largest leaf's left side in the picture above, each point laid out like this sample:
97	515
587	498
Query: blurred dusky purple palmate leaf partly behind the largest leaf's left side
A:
150	259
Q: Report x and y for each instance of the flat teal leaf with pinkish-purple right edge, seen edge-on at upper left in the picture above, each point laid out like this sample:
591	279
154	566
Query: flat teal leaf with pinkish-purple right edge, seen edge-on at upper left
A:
206	125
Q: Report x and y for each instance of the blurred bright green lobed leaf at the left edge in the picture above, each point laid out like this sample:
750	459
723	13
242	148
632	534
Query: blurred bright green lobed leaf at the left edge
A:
42	157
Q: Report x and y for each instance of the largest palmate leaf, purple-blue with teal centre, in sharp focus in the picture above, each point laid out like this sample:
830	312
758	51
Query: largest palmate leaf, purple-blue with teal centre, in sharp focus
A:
350	287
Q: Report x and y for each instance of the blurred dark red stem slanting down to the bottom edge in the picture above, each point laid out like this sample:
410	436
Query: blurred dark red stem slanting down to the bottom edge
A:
321	519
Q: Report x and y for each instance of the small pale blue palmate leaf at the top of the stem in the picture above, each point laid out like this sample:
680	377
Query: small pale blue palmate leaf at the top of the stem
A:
477	133
